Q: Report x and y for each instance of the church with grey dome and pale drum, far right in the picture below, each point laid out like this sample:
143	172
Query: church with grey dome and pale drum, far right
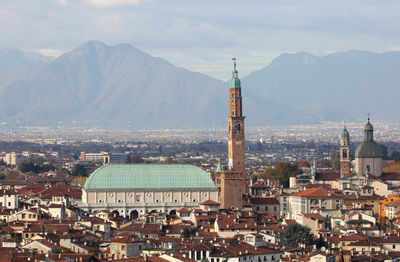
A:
368	154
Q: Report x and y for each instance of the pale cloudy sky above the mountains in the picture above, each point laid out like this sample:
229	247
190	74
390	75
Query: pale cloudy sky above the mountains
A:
204	36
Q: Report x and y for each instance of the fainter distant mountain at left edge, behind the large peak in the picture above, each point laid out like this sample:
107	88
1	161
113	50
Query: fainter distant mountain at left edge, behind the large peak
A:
16	59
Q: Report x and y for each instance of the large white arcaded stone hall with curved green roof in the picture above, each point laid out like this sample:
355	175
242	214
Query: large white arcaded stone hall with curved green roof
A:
136	189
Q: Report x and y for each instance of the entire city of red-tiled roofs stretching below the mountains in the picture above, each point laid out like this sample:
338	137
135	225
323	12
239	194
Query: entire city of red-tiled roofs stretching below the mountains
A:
322	192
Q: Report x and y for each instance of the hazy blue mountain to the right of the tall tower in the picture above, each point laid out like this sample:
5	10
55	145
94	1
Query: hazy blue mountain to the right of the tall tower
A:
348	85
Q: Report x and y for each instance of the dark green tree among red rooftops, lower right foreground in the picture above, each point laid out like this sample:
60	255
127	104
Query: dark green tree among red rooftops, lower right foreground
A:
295	235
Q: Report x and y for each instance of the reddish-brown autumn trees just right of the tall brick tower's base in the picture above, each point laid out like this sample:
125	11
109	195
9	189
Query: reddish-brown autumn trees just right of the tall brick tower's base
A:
281	171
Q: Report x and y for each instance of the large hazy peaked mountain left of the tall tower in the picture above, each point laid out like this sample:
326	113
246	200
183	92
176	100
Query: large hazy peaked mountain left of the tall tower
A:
115	85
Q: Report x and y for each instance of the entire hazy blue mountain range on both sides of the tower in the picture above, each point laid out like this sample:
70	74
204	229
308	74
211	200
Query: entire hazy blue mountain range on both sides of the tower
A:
121	86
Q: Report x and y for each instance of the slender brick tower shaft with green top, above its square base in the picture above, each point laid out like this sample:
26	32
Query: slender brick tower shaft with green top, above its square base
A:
236	146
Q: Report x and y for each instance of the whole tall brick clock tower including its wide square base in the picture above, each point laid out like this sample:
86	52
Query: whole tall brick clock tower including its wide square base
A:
232	182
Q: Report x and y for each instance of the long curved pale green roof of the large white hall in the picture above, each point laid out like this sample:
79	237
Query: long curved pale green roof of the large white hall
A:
149	176
